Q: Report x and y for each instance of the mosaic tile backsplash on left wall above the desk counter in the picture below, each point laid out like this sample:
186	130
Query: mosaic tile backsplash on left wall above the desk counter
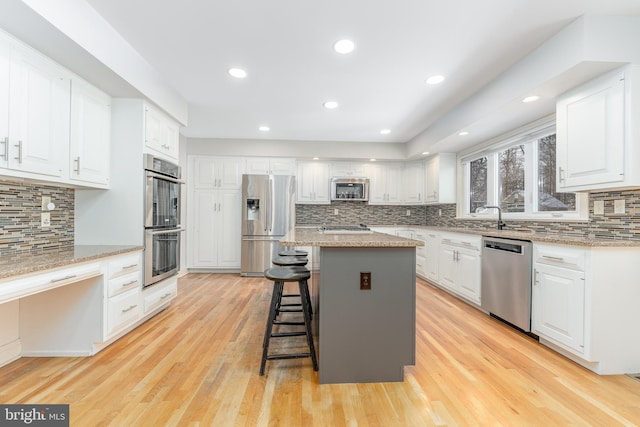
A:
20	209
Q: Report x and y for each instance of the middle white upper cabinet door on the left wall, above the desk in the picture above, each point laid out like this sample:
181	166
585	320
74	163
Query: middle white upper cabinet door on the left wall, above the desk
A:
39	104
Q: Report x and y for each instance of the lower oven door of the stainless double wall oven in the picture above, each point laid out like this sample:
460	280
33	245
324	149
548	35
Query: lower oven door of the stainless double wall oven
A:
162	254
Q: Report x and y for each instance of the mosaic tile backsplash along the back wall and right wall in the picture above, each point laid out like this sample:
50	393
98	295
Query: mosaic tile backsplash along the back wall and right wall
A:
607	226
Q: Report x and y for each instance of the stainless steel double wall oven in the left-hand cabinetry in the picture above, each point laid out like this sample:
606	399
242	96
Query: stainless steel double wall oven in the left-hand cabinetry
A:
162	219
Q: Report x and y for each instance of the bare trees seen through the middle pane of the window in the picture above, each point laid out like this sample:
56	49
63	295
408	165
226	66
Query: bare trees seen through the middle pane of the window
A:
511	179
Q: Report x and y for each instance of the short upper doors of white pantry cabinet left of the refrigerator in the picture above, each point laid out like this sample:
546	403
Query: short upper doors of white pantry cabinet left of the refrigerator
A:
222	173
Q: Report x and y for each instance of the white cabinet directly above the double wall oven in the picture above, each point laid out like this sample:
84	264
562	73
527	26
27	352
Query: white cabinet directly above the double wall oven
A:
161	134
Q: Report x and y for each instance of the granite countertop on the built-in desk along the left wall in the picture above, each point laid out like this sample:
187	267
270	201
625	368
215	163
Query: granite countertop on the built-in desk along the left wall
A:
16	264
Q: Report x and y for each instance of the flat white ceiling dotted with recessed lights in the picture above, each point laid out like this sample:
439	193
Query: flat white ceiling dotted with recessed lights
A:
286	48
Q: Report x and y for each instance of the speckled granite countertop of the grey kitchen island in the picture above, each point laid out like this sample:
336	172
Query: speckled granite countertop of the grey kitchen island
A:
313	237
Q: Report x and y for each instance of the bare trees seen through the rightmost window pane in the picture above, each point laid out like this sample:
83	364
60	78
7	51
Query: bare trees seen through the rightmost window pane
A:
548	199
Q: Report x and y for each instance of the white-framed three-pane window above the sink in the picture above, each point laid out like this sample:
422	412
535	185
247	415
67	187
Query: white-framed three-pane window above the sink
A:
518	175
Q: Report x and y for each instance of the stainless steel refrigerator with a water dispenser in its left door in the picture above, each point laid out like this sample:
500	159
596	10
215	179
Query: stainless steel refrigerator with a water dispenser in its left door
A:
268	213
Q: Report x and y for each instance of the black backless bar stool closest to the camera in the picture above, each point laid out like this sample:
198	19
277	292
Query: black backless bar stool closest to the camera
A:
280	275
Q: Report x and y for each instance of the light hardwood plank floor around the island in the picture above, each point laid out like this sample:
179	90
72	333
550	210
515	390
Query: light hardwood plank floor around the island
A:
197	363
